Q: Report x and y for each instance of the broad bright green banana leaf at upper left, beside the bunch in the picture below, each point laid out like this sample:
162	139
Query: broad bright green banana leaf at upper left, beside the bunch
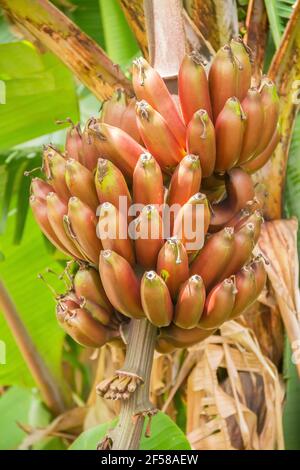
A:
39	91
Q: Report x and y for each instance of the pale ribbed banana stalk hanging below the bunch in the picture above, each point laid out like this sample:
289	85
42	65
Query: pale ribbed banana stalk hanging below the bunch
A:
139	357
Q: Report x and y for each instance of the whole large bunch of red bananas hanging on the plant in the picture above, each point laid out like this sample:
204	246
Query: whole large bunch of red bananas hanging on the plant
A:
197	156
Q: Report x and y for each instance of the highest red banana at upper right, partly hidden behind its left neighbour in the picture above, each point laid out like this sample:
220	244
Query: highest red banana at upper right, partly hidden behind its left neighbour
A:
244	67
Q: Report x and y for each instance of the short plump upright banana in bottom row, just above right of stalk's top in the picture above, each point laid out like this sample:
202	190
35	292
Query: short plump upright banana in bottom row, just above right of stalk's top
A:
156	299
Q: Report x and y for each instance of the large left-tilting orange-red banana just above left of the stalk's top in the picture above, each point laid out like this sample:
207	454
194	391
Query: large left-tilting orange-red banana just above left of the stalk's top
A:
121	284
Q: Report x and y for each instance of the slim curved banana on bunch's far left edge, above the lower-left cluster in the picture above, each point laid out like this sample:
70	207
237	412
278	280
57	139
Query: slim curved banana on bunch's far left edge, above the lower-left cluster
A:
39	209
